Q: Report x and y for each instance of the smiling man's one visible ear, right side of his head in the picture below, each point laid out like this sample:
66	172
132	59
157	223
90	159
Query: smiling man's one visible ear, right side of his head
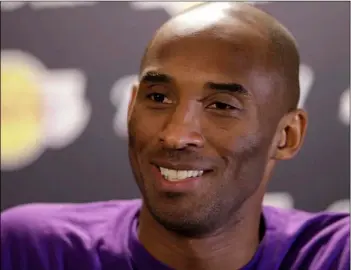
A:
290	135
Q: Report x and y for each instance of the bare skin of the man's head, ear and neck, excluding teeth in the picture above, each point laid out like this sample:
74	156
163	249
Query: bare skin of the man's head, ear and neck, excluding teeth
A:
183	115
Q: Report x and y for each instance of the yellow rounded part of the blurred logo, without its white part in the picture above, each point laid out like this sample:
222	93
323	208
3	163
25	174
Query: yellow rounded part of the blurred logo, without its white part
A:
21	111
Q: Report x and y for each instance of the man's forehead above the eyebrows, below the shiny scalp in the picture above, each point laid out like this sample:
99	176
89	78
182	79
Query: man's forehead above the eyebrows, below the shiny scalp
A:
211	55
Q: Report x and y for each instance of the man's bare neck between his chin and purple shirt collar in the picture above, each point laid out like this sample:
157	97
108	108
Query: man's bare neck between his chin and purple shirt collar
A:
231	248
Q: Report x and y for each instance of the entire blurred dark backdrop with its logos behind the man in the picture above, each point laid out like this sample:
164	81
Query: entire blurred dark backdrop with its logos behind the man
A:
66	72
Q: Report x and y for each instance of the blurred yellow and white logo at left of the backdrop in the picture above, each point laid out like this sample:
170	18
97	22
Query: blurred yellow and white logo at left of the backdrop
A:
39	108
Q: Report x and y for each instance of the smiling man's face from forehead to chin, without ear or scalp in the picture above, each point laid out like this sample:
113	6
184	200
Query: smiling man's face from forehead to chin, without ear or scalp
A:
200	113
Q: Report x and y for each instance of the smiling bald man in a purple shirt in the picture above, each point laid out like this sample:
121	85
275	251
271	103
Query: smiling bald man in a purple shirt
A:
214	110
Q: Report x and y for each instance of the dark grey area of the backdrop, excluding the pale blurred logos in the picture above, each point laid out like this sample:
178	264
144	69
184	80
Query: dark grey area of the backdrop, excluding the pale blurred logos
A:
105	41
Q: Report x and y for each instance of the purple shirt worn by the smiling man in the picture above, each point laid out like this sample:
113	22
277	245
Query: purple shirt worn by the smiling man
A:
103	236
